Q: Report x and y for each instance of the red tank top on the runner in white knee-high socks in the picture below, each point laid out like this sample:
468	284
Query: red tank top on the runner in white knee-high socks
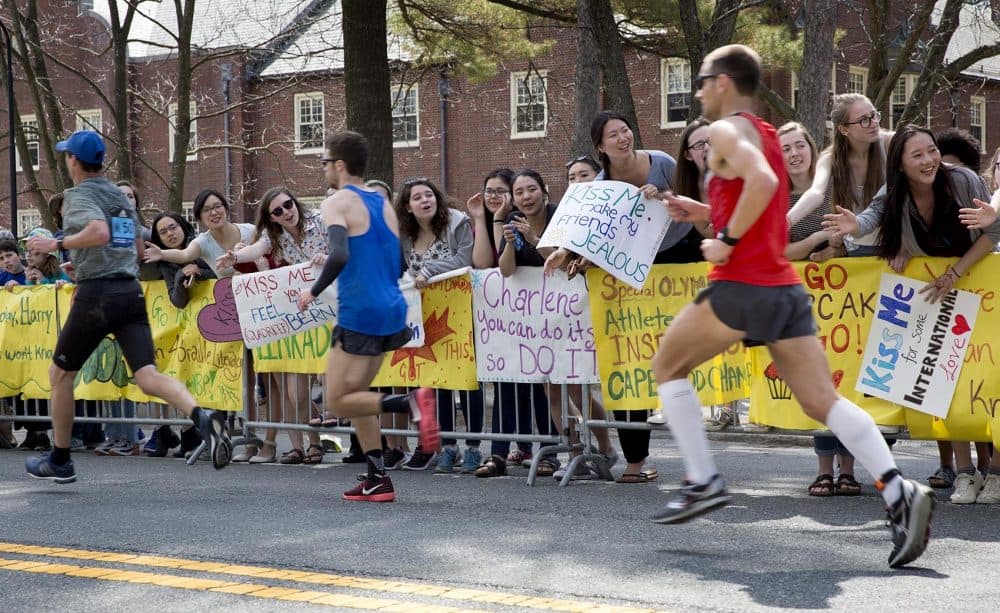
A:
759	258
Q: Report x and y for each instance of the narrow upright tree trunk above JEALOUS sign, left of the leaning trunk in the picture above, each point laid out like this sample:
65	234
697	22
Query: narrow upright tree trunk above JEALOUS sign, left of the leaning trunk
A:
588	88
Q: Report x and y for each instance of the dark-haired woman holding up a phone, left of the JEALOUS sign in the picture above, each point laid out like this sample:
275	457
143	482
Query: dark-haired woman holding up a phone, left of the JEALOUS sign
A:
521	233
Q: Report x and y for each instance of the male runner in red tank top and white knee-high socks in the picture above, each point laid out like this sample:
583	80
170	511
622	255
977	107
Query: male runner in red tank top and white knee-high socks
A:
755	296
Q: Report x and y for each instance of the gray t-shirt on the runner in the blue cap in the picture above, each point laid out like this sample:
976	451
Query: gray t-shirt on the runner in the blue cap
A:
98	198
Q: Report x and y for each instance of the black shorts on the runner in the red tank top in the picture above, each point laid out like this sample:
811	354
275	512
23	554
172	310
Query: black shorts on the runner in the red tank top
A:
764	313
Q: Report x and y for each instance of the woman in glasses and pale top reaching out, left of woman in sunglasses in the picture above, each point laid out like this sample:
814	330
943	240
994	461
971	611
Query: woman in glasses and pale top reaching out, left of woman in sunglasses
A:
212	210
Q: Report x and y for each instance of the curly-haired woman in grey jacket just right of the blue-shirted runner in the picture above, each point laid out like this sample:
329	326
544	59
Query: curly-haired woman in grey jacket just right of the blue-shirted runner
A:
436	238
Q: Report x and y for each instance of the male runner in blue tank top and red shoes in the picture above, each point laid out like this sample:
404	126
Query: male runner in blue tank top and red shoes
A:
366	260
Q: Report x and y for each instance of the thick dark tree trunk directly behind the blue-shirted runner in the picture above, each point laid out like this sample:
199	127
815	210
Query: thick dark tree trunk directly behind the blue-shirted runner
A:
366	82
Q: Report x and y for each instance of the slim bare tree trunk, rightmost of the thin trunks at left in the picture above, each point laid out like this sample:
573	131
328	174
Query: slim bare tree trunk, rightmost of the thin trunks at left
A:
182	120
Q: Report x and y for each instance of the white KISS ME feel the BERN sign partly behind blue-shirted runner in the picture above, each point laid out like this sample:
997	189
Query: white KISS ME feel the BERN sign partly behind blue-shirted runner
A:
267	308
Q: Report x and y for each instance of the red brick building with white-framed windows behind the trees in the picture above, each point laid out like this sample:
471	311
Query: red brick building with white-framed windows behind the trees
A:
265	88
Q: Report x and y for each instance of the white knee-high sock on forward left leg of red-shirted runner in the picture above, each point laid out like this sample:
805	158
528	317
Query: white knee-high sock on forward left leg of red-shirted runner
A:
683	412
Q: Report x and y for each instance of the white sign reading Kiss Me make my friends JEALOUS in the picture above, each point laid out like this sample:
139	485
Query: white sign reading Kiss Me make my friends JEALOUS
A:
611	224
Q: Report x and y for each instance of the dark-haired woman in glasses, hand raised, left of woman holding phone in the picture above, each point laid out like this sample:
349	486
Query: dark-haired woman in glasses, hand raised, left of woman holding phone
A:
512	402
